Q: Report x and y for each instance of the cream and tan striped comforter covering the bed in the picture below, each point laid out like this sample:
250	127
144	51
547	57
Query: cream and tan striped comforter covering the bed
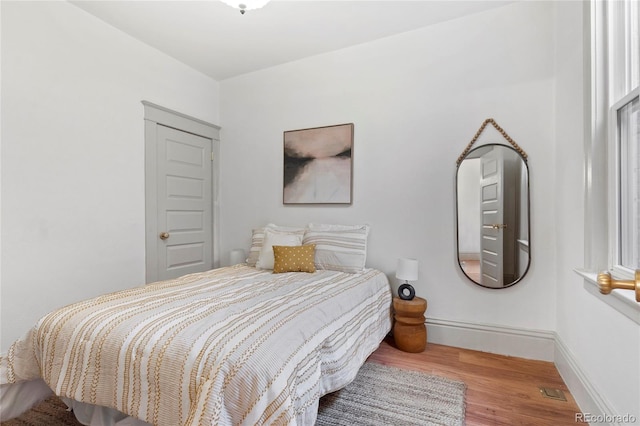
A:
234	345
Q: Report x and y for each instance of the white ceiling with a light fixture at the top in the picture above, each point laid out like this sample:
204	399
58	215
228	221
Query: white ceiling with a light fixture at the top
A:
220	42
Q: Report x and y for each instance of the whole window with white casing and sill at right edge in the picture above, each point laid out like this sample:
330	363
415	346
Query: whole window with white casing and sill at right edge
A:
612	159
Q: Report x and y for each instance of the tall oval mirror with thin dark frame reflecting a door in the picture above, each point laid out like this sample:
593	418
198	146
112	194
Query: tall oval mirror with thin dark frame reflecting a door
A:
492	207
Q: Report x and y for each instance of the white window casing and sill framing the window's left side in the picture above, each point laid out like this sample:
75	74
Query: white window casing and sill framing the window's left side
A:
598	216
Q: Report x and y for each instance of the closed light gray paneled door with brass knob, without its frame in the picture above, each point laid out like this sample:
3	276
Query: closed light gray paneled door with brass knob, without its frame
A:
184	203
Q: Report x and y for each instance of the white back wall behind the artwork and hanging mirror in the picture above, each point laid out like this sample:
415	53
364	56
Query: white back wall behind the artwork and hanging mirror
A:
416	100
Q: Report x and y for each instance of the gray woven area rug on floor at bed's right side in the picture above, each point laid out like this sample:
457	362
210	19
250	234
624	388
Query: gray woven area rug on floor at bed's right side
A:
385	396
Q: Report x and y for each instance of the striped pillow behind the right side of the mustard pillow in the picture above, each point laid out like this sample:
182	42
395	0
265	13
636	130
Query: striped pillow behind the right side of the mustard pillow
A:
339	248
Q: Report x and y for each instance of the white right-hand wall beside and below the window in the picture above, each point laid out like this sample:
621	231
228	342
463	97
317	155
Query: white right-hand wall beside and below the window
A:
603	343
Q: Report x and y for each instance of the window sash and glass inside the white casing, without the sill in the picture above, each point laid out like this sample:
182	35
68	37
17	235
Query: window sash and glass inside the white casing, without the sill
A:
622	61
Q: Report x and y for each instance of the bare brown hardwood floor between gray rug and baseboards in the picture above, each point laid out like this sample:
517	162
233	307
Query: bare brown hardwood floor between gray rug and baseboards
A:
501	390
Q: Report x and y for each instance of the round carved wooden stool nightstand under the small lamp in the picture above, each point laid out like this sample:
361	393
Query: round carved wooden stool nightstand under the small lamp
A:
409	331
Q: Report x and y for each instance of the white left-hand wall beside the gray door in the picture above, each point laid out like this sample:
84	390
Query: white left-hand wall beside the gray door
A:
73	155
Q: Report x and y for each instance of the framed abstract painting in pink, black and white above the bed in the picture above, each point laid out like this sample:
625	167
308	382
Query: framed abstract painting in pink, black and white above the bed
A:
318	165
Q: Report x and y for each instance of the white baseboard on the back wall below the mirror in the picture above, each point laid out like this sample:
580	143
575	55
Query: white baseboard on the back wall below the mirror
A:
523	343
